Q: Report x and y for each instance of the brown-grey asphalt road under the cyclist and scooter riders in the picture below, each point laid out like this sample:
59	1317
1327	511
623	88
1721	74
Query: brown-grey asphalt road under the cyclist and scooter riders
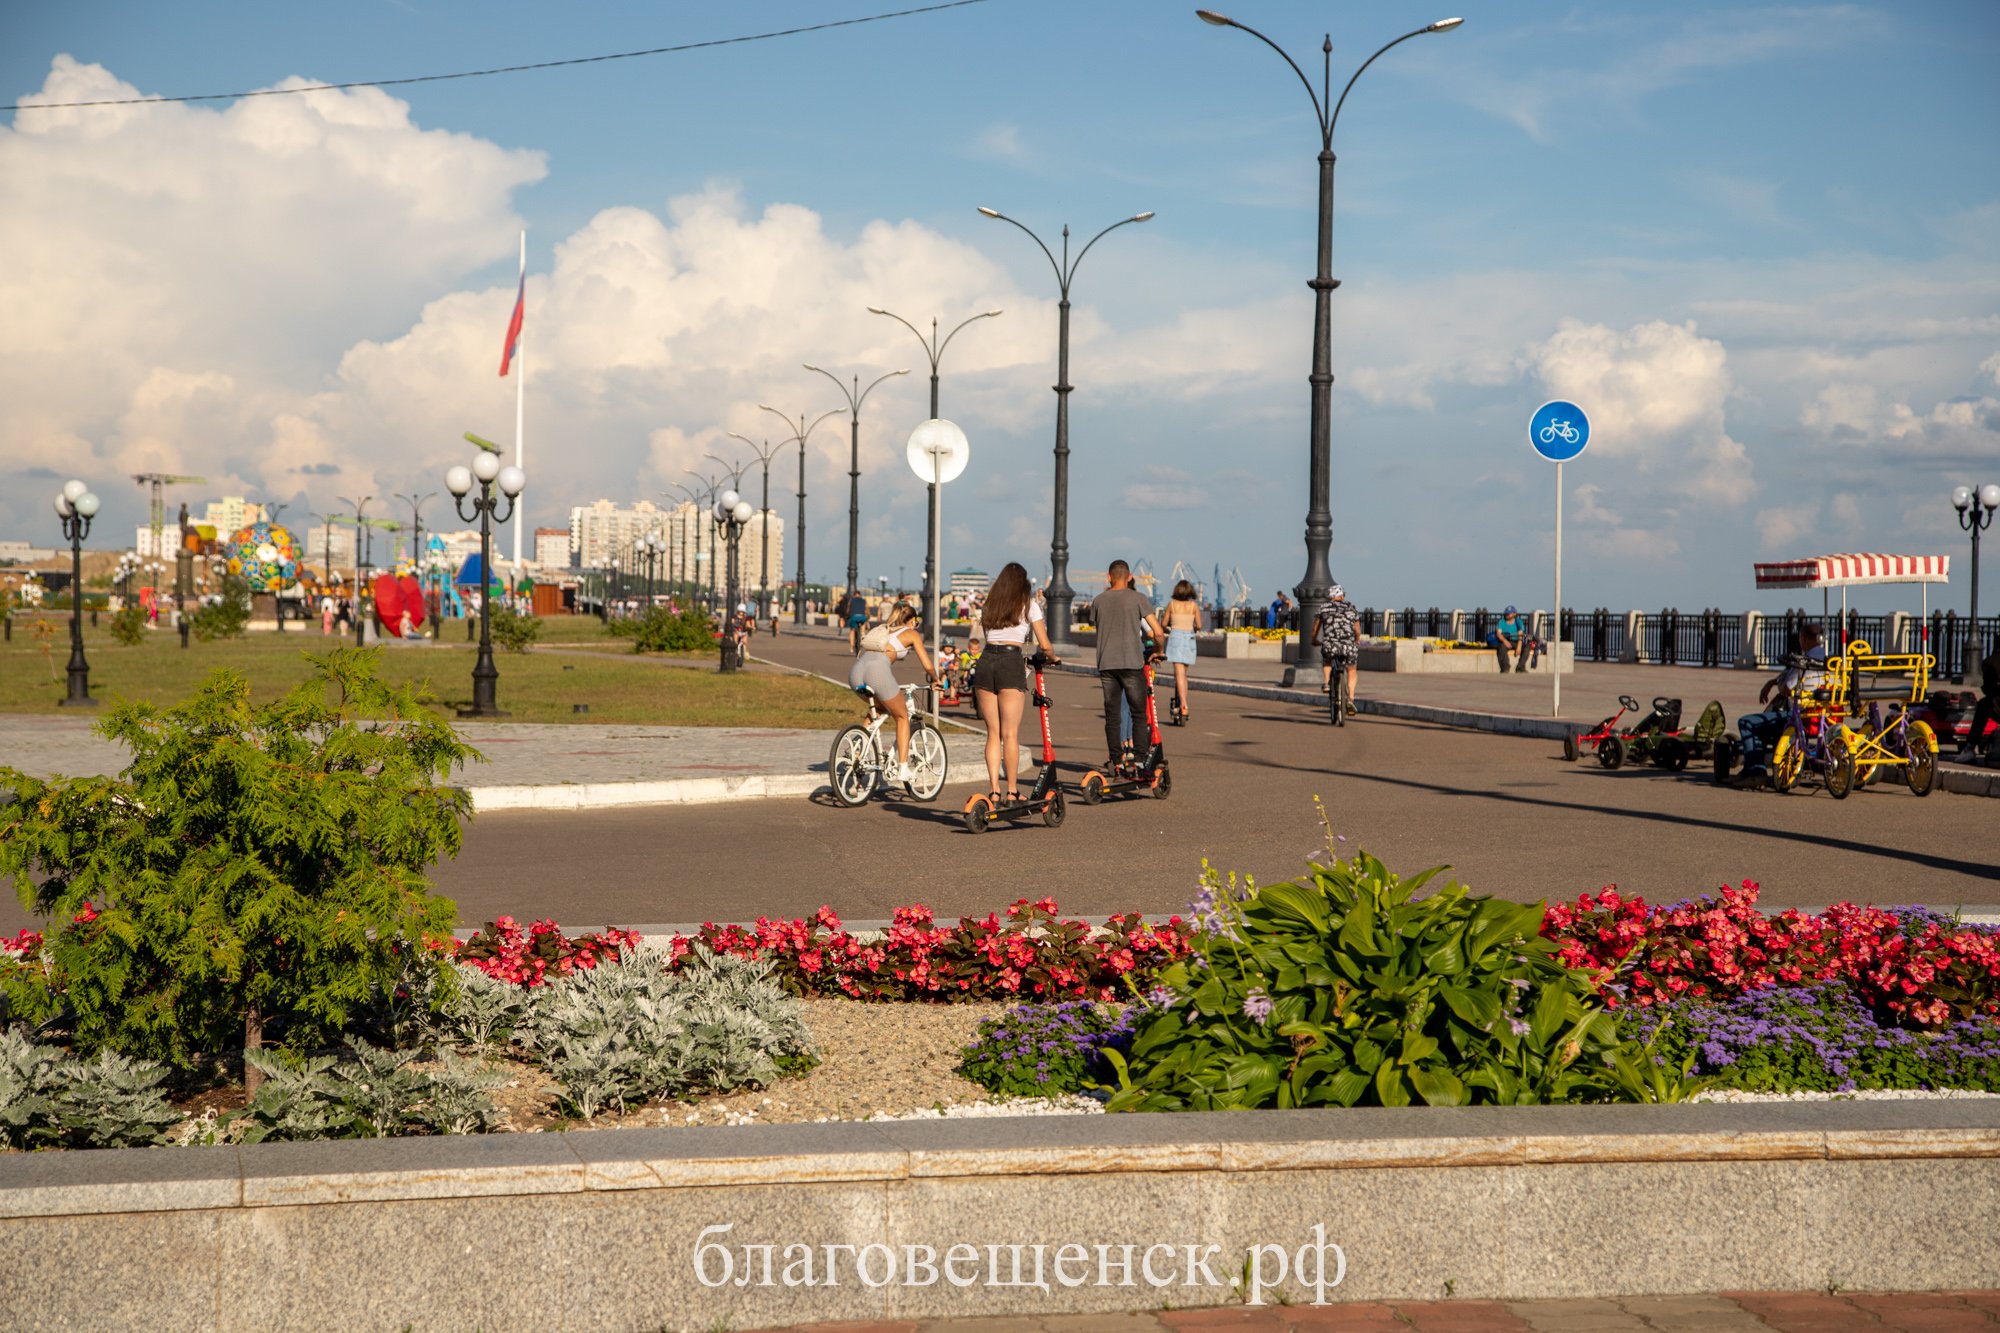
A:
1505	814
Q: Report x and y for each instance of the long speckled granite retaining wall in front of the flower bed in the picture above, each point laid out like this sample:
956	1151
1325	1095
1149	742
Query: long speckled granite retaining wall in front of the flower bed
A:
771	1226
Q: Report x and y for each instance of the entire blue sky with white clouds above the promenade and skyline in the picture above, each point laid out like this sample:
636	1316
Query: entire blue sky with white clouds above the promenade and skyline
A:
1759	243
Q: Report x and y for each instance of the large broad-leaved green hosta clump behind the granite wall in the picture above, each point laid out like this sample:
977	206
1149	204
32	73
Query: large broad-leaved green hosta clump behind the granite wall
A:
1345	990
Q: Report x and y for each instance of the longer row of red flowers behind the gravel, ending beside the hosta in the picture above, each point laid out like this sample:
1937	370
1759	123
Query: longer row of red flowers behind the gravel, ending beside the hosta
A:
1031	954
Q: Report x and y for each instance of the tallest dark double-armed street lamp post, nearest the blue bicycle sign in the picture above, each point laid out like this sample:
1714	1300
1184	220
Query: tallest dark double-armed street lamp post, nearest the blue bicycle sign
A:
1319	515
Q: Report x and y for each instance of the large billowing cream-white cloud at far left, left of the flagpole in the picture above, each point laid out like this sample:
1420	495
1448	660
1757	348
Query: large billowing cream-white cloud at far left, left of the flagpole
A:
189	267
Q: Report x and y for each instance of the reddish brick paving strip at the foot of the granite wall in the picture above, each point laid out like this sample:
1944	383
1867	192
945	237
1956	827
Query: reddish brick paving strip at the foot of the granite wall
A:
1791	1312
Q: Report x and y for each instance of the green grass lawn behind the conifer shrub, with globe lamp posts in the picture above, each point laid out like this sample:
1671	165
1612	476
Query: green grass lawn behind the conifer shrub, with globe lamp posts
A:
535	688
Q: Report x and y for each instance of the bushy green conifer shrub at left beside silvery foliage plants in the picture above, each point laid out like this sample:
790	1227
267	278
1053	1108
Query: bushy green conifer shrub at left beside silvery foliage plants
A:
257	870
